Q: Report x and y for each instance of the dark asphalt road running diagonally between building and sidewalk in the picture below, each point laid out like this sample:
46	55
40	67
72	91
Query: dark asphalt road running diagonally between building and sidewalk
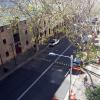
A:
40	78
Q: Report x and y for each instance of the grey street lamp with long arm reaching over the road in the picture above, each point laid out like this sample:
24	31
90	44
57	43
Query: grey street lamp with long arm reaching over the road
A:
71	65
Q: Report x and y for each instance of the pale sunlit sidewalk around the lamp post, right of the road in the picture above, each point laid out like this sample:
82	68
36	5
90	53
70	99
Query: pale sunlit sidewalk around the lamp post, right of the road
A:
77	85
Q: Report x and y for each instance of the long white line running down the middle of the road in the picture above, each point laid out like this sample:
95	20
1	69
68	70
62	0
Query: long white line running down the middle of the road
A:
20	97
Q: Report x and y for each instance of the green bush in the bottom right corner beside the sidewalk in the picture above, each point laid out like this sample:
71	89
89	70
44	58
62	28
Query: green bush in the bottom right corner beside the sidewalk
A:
93	94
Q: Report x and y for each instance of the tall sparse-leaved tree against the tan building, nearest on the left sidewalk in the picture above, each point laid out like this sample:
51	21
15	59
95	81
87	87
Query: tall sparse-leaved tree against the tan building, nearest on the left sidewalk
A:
30	10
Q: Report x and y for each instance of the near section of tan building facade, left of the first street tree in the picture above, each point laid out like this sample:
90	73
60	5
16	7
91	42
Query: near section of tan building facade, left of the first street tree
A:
14	40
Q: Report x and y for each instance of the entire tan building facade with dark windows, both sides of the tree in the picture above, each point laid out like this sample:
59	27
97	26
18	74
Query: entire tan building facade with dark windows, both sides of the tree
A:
16	37
